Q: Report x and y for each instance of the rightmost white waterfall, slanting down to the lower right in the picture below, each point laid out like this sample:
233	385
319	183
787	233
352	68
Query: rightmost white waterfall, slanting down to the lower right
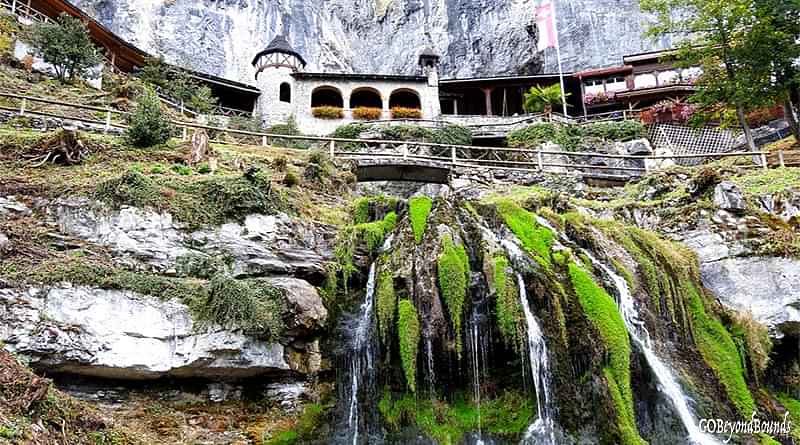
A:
666	379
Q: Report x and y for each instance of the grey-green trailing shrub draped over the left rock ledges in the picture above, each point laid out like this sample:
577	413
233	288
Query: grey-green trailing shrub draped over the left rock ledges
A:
255	306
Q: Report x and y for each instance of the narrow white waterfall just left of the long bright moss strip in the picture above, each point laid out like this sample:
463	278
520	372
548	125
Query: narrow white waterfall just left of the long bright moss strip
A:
543	429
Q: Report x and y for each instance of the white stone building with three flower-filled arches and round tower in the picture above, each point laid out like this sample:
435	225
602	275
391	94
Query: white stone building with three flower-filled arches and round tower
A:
288	91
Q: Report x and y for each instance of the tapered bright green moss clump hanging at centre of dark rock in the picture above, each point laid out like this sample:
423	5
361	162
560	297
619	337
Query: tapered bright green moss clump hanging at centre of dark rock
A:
453	271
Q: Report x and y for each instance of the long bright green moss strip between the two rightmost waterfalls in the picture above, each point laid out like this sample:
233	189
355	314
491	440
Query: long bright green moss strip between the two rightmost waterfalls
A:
604	314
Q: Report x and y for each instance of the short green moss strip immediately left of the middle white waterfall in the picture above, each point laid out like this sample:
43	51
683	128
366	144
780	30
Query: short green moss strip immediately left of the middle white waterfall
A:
508	309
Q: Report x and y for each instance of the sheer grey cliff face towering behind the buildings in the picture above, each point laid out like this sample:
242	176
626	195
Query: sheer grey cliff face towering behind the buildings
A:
377	36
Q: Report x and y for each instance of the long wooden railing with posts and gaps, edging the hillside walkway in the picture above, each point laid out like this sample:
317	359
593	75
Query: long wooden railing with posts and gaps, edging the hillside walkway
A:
522	159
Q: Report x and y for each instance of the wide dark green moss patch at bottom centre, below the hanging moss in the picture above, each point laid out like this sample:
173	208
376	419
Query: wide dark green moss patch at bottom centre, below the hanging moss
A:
507	416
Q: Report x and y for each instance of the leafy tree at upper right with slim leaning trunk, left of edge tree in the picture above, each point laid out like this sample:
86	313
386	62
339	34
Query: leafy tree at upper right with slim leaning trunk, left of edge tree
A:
715	38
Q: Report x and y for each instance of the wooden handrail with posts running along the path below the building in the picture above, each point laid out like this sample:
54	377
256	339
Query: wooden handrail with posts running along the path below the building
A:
453	159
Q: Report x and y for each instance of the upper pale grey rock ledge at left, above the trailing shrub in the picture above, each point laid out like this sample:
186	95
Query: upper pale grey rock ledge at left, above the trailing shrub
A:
263	244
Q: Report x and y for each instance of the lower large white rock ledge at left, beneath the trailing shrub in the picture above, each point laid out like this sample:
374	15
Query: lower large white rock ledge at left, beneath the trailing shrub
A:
118	334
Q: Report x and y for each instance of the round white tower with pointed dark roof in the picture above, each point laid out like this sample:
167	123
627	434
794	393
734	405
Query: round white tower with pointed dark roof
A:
274	67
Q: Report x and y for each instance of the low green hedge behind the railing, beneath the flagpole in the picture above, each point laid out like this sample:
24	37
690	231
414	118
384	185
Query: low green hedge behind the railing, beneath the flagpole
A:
570	137
